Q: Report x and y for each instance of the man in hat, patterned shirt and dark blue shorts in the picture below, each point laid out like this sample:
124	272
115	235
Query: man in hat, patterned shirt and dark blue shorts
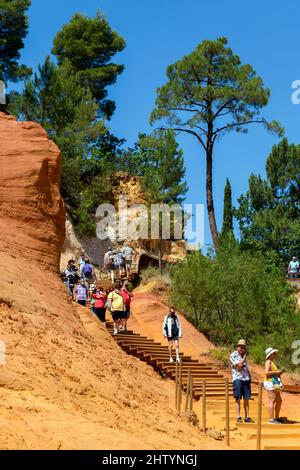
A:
241	380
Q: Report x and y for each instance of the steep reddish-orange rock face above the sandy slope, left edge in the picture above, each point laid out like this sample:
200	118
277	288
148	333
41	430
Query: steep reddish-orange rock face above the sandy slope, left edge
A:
31	209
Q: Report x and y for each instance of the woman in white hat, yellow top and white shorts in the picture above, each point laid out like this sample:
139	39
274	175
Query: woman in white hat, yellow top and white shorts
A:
273	385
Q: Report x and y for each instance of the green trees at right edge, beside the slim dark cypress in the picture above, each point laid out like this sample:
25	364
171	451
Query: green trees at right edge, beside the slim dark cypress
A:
269	213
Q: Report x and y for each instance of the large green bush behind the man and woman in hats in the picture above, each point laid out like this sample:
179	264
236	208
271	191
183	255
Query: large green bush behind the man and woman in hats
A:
238	295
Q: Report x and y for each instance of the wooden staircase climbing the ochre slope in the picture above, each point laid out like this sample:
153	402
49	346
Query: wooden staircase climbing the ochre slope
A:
274	437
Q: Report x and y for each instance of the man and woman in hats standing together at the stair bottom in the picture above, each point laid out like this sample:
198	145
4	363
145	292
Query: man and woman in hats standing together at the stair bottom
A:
241	380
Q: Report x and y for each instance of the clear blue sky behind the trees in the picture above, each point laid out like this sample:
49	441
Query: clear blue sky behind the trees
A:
158	33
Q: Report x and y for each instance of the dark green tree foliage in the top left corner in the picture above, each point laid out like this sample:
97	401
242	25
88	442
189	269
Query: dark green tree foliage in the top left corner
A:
13	30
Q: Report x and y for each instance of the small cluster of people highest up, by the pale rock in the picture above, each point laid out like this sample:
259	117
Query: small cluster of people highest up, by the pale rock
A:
118	260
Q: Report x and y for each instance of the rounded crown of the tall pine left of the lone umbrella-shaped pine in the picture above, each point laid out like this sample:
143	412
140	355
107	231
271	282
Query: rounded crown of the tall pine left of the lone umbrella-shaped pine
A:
89	44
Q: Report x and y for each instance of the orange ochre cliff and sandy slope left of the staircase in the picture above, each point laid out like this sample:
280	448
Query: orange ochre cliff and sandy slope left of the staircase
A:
64	383
